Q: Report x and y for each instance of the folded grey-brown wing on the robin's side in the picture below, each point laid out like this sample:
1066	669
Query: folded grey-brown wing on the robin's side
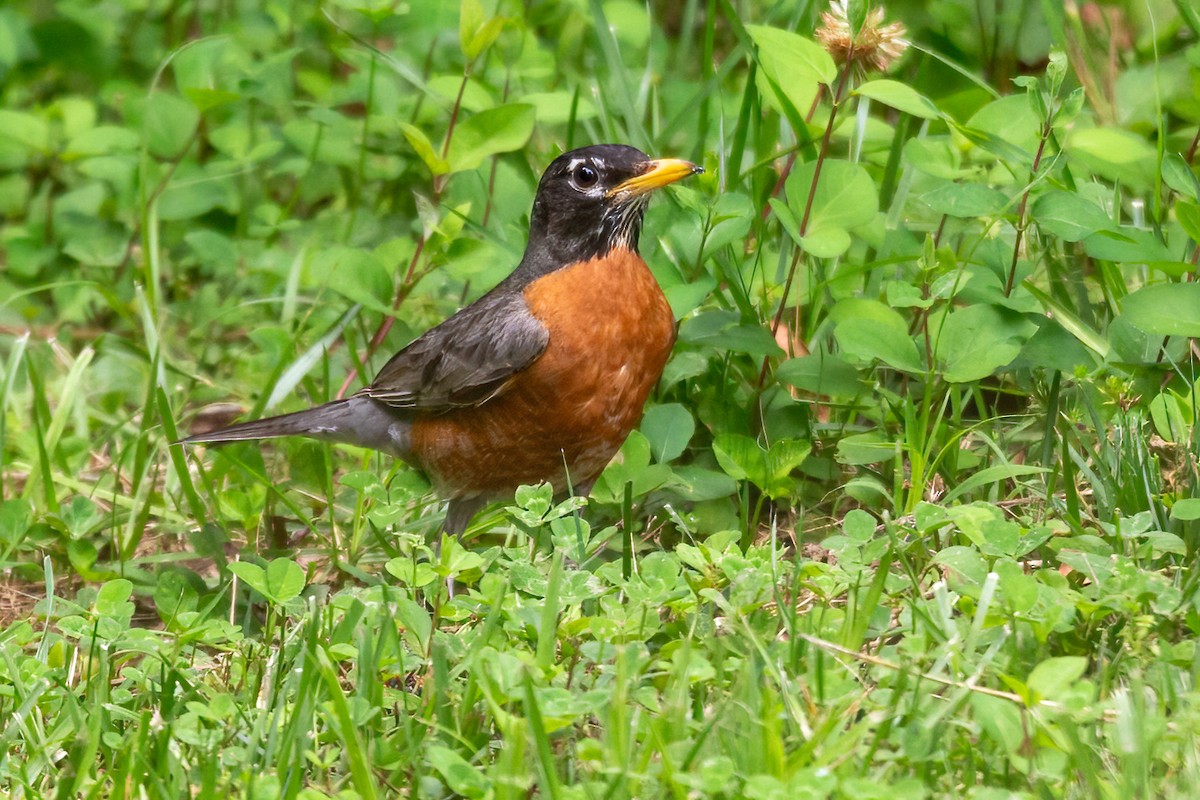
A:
466	360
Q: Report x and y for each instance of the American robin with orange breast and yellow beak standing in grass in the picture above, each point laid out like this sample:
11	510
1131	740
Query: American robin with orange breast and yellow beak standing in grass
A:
544	377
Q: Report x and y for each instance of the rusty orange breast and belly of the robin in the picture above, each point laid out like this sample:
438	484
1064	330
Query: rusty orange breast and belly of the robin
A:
567	414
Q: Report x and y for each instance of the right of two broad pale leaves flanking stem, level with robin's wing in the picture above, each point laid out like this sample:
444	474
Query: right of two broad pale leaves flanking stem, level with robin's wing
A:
976	341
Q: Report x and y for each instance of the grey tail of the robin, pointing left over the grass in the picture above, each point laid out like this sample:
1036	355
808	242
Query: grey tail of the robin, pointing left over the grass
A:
358	422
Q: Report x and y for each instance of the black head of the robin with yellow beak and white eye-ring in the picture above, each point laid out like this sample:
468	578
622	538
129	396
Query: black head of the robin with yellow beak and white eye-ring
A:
591	202
